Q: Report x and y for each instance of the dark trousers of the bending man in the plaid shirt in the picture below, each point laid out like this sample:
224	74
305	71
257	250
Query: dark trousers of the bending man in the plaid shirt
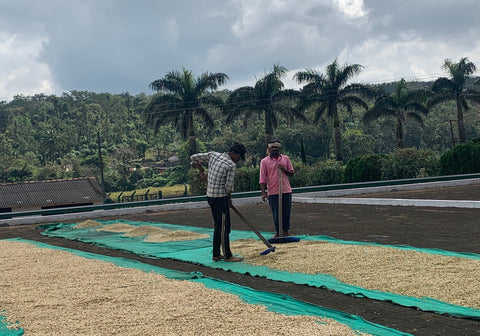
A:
220	207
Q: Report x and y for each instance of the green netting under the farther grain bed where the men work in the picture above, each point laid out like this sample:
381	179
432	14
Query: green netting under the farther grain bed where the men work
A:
199	251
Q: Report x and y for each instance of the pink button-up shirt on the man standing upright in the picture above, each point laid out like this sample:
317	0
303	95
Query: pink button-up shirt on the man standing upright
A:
269	174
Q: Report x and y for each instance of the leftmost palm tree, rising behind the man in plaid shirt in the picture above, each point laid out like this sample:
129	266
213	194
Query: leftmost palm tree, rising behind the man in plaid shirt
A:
181	98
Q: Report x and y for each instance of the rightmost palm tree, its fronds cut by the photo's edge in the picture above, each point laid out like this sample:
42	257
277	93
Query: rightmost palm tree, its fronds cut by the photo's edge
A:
454	89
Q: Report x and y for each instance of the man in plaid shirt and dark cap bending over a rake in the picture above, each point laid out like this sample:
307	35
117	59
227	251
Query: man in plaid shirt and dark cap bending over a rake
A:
221	175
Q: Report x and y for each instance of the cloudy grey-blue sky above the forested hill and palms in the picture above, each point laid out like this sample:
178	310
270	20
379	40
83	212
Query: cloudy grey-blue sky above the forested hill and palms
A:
55	46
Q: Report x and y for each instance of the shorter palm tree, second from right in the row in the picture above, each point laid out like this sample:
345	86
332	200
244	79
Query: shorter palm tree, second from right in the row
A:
401	105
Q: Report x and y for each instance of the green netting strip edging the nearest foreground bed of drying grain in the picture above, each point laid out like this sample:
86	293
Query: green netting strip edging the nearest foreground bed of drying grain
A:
282	304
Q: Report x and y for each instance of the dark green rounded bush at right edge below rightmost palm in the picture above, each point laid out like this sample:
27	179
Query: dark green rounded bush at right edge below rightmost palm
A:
462	159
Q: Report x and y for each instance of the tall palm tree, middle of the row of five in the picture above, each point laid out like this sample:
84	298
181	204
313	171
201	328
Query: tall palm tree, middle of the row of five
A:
325	92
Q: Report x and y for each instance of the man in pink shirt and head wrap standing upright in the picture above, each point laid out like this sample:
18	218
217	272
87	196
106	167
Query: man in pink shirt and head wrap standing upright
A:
273	167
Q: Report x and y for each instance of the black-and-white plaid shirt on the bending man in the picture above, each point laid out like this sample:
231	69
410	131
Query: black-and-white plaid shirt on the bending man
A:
221	172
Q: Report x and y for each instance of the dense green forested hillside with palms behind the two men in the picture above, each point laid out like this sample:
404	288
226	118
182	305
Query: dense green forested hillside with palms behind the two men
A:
135	141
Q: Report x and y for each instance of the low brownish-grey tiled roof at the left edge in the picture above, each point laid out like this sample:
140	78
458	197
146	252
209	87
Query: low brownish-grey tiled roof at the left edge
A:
50	193
